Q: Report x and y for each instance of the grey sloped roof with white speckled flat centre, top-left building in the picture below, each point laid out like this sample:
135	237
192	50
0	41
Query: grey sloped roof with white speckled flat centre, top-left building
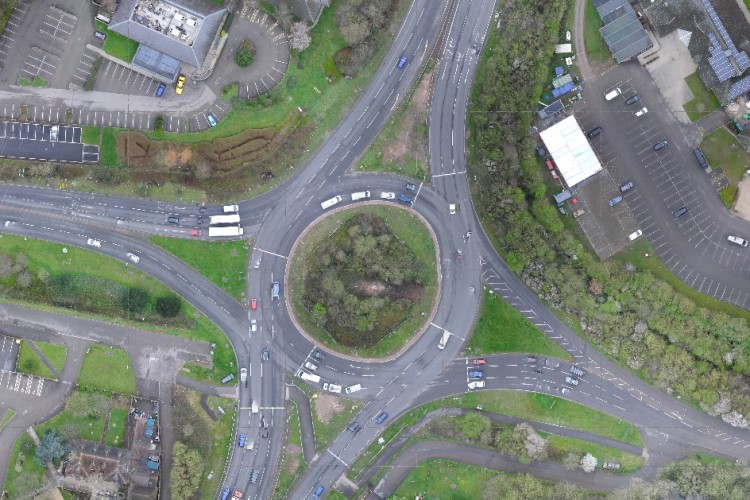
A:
182	29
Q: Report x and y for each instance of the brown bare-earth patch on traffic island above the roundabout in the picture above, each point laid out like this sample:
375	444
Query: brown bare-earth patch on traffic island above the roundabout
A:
408	141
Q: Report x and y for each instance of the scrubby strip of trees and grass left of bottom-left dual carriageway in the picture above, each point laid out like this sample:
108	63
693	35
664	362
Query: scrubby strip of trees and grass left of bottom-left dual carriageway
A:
202	442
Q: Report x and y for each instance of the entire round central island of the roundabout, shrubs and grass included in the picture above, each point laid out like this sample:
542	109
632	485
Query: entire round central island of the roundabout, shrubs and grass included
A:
381	287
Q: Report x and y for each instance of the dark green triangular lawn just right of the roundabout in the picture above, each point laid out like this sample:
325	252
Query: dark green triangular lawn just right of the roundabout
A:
501	328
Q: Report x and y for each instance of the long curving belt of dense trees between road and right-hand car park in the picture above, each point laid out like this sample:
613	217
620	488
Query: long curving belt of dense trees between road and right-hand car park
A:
692	349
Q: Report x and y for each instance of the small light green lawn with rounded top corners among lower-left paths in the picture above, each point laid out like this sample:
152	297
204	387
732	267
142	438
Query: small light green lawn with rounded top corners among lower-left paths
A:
108	369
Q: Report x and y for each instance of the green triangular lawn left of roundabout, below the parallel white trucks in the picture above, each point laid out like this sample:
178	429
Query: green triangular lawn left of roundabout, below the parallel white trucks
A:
223	263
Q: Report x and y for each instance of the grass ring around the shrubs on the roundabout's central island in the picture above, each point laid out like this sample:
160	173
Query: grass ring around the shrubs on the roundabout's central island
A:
417	239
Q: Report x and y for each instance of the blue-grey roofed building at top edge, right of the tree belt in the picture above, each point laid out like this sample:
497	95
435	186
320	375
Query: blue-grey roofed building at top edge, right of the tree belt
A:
622	30
